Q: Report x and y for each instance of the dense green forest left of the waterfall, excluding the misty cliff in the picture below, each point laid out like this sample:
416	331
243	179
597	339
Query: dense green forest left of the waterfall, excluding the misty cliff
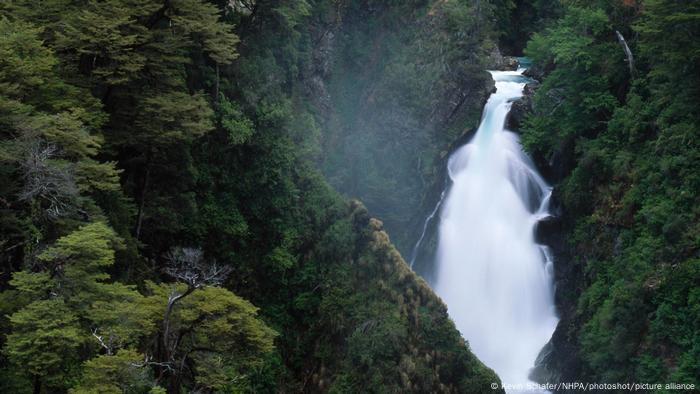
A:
157	157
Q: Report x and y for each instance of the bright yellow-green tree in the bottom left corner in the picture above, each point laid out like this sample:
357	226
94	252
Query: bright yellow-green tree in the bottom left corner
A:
66	279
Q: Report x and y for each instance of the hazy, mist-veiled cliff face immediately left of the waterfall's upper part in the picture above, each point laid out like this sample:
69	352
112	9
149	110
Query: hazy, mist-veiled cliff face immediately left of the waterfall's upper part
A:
394	86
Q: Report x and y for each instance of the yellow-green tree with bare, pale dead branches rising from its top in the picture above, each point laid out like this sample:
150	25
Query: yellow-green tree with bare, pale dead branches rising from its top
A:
209	336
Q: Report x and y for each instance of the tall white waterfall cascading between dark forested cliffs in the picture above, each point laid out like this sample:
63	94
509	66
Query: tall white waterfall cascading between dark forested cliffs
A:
493	276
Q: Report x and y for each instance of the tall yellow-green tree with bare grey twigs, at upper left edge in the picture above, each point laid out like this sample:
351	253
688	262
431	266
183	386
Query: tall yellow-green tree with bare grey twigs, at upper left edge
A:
49	141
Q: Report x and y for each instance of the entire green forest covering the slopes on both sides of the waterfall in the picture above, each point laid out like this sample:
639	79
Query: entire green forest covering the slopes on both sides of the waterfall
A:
221	196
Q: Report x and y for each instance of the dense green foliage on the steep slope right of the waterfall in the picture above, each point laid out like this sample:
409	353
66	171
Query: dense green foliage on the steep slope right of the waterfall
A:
630	196
